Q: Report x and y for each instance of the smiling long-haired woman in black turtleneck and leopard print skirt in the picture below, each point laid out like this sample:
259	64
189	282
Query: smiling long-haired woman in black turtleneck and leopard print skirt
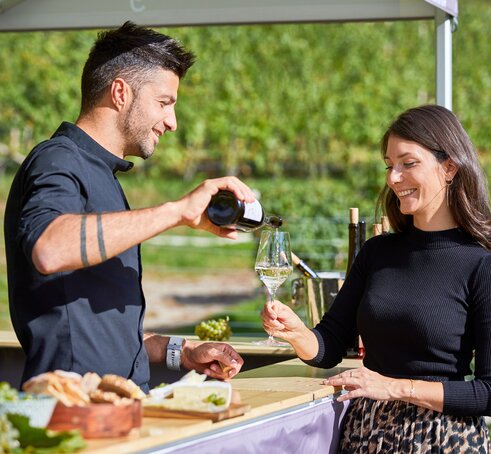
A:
419	297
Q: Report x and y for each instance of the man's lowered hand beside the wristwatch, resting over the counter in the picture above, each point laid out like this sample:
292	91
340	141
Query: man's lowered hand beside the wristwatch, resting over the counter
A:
215	359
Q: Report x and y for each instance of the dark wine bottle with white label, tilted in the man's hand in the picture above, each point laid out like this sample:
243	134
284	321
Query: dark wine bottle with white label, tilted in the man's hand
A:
225	210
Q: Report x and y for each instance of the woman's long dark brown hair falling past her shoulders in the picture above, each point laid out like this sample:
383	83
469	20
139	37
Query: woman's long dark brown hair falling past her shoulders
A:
438	129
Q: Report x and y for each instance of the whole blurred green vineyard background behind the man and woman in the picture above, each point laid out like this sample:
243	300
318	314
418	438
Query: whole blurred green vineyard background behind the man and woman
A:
296	111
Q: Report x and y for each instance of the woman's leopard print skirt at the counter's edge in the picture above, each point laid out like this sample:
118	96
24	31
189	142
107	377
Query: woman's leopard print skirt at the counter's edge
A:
372	426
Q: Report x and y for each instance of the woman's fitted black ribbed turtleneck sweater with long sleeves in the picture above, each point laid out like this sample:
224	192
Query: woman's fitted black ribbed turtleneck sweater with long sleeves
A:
421	302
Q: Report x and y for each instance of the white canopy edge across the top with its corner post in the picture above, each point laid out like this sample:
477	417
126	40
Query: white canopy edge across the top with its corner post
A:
28	15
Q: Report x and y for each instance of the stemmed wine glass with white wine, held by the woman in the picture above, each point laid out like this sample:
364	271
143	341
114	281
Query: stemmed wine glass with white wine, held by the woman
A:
273	265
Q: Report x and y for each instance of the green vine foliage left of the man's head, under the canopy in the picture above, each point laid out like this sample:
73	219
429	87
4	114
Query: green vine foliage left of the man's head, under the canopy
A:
40	83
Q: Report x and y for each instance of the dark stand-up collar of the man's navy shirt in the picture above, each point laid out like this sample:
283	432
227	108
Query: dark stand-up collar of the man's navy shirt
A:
83	140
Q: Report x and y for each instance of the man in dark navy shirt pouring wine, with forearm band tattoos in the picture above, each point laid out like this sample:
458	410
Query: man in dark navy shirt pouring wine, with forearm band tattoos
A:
72	241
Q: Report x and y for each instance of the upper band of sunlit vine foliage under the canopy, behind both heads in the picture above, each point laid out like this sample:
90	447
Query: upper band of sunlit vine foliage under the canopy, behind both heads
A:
269	100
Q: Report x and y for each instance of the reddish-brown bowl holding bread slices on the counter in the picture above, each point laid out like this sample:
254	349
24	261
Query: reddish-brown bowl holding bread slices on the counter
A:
98	420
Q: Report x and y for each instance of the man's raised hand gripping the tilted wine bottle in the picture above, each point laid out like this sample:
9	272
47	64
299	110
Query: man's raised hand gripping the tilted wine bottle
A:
192	207
